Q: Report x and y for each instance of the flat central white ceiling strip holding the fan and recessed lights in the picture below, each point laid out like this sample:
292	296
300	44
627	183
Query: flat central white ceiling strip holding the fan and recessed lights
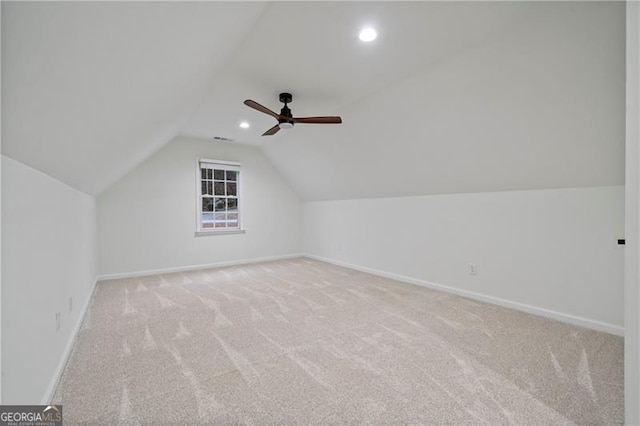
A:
312	50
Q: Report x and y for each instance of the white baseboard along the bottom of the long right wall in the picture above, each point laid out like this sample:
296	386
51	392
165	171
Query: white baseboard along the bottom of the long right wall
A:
568	318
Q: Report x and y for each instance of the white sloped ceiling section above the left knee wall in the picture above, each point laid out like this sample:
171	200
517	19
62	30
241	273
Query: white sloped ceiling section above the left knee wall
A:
90	89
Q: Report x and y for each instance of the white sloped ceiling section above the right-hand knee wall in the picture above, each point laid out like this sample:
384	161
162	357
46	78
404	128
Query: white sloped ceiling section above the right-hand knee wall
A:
540	105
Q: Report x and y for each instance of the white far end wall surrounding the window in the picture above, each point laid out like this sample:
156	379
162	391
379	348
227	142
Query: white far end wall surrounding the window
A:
147	220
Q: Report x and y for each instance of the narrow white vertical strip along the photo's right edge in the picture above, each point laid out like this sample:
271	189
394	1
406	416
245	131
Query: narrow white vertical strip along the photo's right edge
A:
632	232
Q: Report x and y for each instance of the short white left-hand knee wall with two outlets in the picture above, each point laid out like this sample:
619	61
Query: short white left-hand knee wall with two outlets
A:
48	256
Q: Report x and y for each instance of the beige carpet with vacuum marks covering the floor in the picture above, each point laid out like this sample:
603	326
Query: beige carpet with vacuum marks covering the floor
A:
305	342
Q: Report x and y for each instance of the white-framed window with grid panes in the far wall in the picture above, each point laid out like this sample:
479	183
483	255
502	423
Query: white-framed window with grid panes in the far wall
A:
218	196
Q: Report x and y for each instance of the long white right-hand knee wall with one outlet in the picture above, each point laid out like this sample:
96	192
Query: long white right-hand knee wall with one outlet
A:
552	250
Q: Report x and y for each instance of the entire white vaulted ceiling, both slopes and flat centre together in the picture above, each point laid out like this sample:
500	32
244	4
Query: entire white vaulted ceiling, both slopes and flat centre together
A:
451	97
